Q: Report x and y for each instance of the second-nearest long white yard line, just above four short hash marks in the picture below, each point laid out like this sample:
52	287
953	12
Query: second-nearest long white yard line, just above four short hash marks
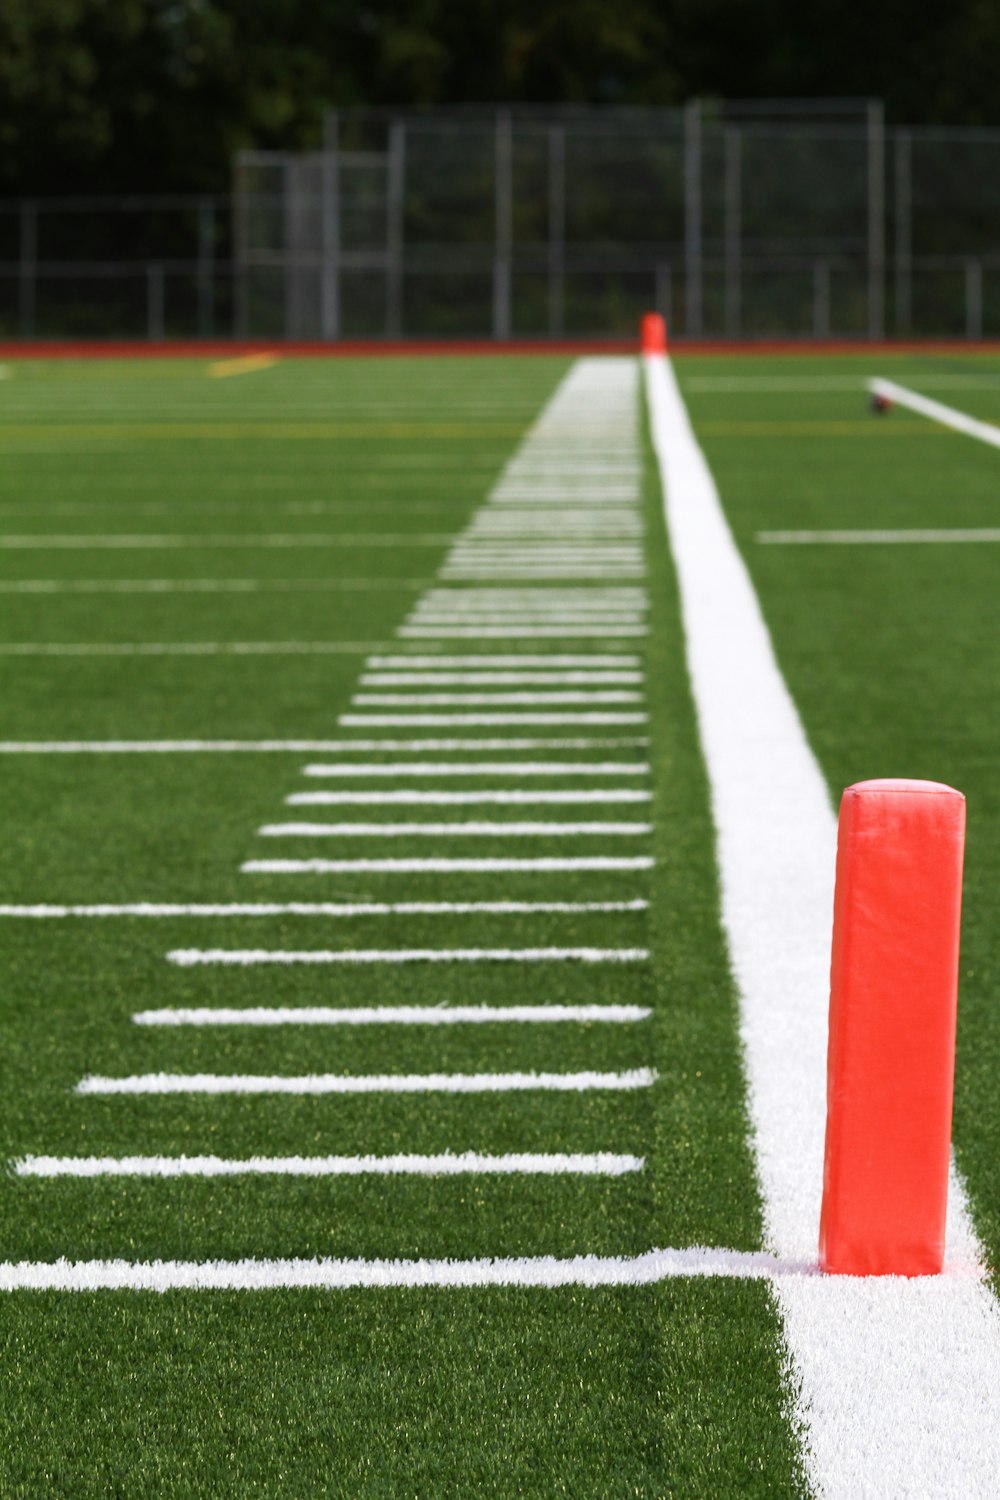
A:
317	908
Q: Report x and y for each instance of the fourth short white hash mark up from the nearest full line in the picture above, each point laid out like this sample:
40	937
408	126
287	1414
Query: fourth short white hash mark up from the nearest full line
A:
248	958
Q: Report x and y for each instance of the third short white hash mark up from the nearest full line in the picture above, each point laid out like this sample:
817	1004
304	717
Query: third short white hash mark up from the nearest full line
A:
394	1016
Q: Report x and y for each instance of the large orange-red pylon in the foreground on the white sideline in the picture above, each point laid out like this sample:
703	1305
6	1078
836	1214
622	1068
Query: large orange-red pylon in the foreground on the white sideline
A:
891	1064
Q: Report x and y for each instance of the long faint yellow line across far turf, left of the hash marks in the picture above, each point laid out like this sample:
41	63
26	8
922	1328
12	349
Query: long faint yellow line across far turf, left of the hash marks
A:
262	430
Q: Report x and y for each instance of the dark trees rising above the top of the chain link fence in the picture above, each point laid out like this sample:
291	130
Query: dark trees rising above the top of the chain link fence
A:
157	95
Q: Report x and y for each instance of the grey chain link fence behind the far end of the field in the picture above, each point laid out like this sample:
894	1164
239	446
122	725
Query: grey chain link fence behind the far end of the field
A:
737	221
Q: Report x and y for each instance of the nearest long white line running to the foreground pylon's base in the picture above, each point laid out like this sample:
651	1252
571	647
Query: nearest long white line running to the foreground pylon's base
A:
343	1276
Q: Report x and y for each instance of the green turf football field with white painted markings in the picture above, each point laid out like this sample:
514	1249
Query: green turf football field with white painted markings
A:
413	899
